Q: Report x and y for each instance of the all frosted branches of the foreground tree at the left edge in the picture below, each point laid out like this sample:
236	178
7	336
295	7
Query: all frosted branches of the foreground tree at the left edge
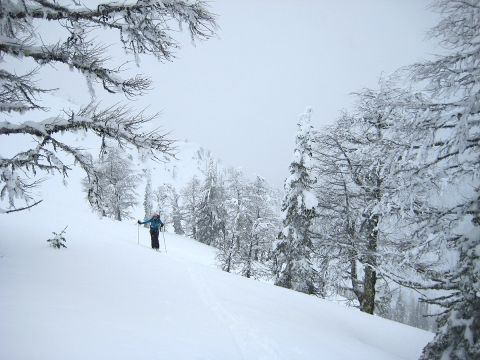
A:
144	27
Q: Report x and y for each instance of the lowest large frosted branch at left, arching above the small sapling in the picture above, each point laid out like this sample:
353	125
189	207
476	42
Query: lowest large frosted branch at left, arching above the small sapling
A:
116	123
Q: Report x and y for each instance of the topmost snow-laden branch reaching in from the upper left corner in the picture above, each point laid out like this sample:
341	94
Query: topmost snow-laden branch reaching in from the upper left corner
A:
143	24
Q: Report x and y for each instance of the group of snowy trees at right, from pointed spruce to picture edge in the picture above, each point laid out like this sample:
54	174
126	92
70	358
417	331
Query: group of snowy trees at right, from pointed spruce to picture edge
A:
389	193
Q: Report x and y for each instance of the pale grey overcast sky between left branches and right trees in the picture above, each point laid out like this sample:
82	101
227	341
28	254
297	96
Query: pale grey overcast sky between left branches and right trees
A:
240	94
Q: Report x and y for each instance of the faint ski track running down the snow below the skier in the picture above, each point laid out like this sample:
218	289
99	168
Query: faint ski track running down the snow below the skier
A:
247	339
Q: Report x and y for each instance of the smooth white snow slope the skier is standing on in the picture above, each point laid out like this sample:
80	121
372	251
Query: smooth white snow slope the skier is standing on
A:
107	297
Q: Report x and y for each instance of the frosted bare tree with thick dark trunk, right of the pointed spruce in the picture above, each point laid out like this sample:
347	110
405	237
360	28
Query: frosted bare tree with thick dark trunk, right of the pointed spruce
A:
360	230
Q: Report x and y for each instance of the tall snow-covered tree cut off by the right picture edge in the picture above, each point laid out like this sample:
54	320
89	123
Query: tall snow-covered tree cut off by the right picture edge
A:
446	153
